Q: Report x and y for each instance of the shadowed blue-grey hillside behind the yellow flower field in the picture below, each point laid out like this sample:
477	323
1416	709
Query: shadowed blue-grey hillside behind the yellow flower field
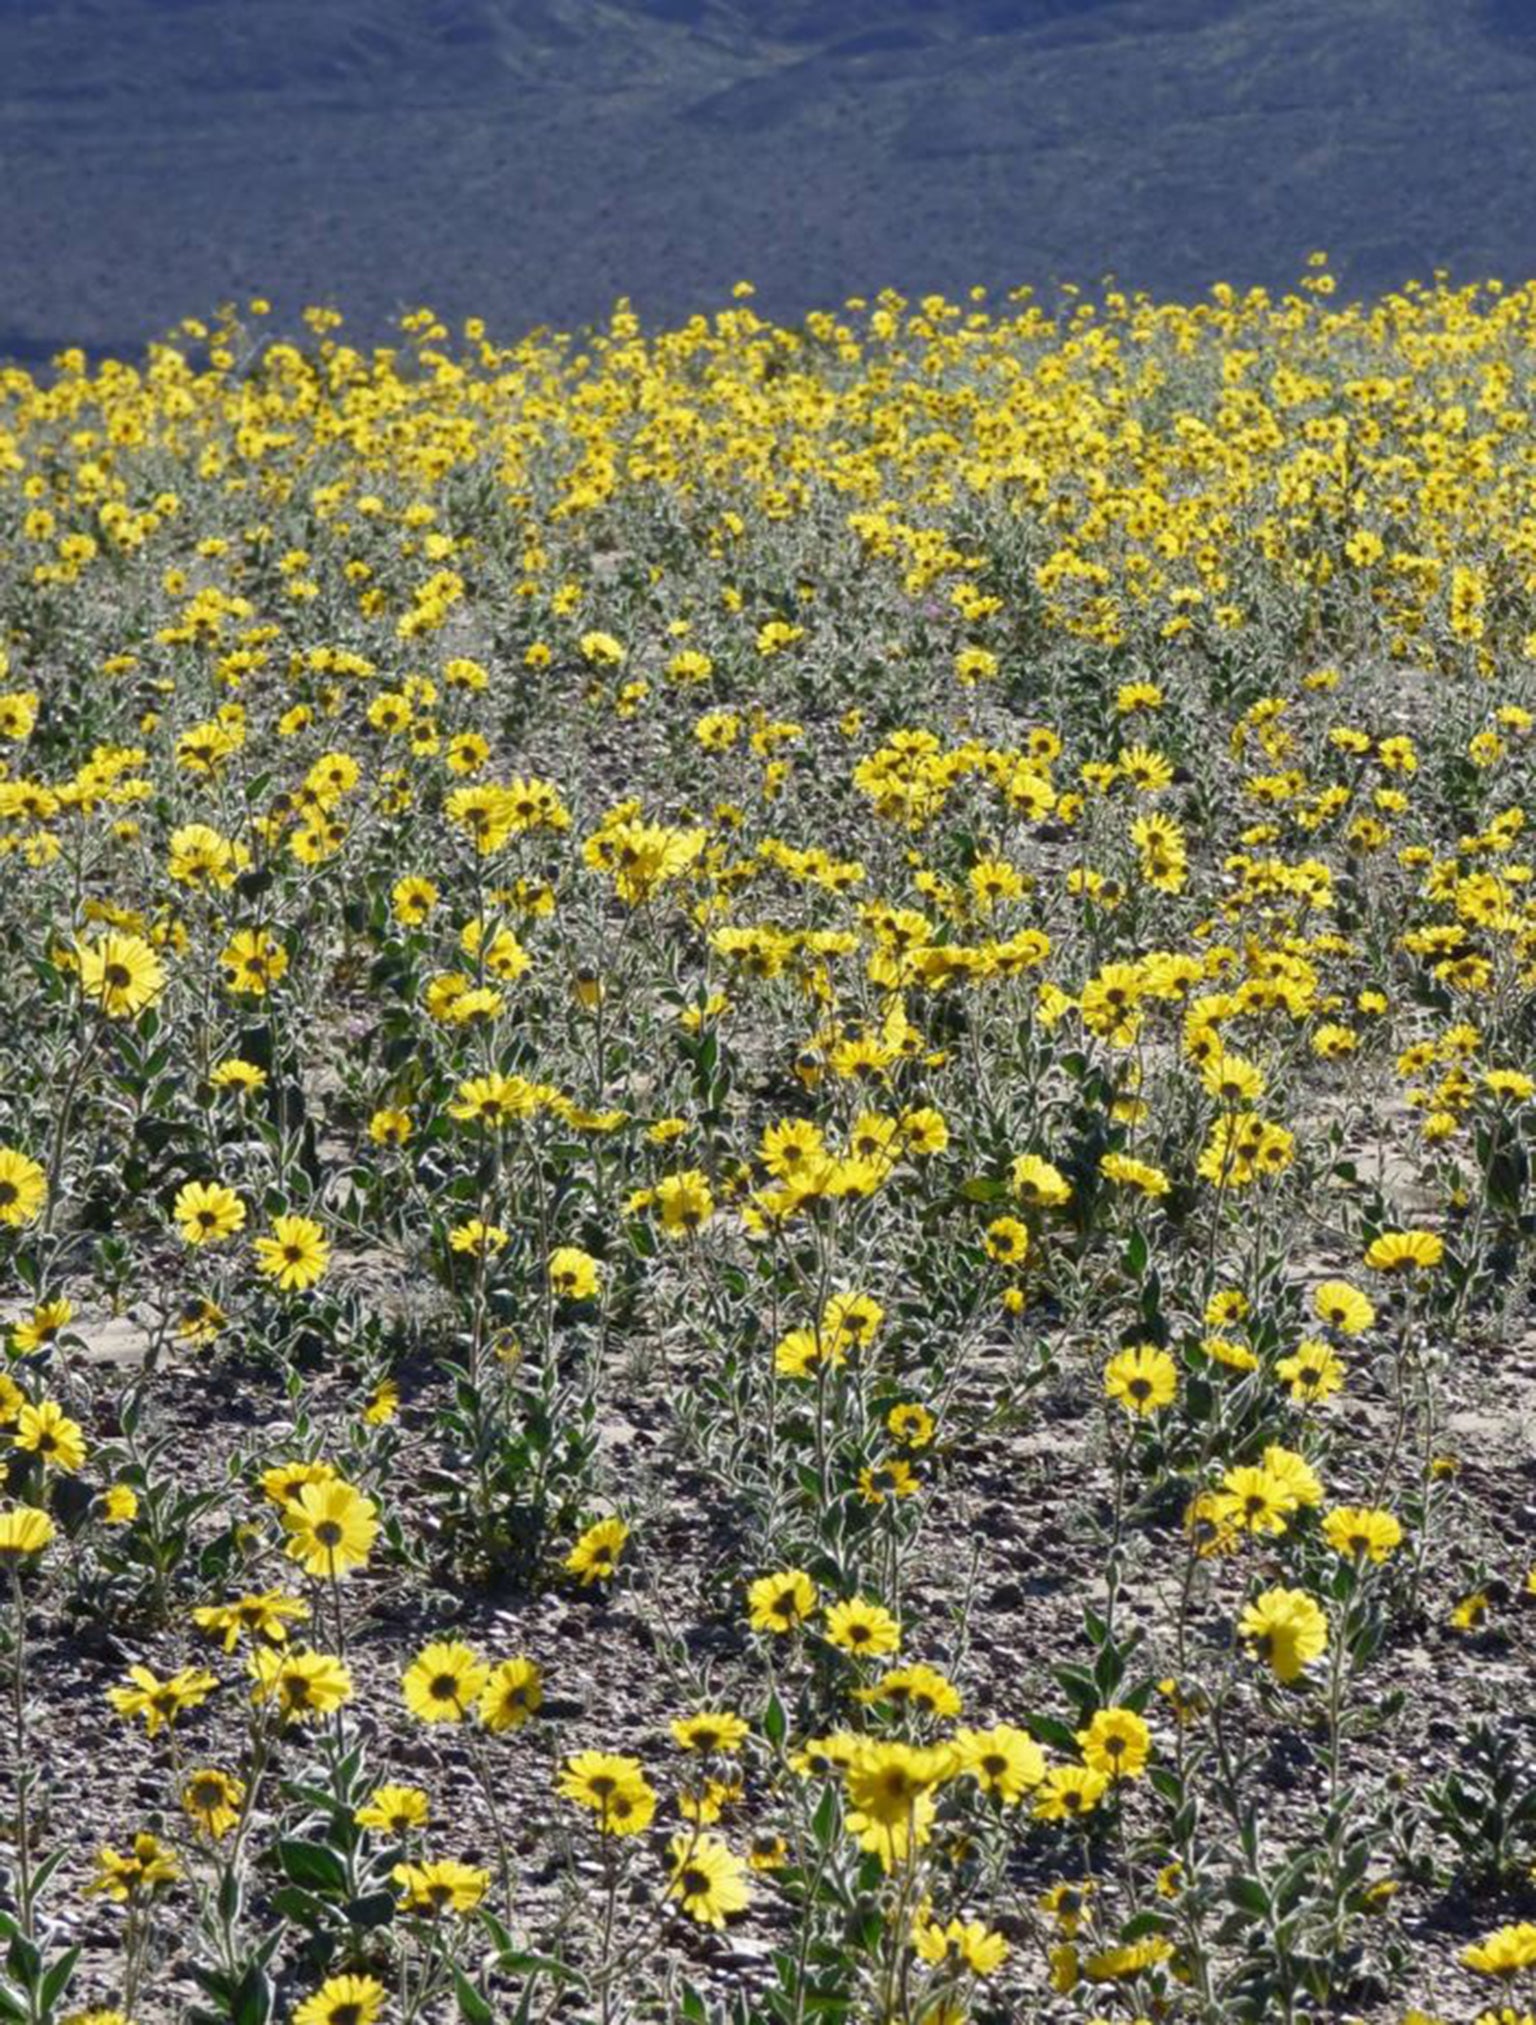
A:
533	159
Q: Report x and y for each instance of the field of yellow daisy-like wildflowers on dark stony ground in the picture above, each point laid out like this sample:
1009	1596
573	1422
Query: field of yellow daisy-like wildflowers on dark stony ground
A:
766	1167
